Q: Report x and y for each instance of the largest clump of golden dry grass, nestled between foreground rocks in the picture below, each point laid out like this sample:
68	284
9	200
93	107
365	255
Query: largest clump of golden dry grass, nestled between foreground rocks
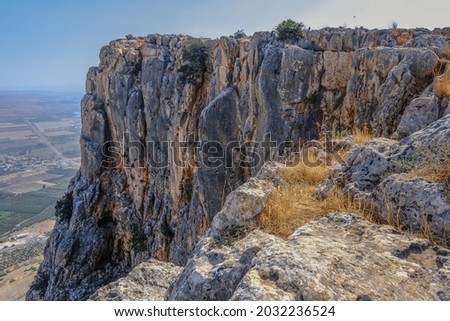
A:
294	205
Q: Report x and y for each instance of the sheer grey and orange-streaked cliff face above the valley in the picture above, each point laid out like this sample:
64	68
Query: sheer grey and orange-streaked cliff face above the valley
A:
147	188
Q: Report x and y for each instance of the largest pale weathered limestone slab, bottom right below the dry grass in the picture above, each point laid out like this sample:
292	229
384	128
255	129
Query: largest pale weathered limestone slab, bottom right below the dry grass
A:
344	257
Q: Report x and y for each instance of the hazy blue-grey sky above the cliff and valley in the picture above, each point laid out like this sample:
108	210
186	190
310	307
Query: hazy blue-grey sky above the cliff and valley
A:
50	44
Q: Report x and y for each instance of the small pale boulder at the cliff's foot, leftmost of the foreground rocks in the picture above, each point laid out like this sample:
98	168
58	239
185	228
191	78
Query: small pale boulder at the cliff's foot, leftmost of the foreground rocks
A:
149	281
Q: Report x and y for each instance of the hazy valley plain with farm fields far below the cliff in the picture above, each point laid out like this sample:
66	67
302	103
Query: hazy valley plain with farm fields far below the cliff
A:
39	155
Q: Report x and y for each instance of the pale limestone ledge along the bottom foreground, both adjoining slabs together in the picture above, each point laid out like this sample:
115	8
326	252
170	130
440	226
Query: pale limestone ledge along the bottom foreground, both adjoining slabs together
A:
339	257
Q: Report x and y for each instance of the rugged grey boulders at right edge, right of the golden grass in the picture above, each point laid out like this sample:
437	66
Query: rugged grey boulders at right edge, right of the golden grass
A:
384	172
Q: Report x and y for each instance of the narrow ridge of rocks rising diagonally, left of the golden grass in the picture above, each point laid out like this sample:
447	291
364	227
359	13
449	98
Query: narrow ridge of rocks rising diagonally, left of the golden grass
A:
226	253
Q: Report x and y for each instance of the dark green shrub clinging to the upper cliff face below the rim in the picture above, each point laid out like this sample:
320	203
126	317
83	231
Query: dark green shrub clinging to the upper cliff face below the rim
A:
195	56
